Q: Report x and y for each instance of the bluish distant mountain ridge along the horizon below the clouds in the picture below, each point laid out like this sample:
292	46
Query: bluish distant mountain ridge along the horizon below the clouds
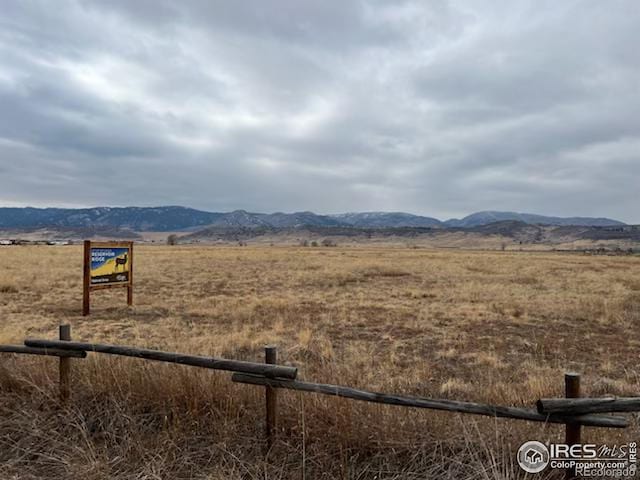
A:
176	218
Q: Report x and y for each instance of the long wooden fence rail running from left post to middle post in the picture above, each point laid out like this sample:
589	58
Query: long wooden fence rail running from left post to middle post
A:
182	359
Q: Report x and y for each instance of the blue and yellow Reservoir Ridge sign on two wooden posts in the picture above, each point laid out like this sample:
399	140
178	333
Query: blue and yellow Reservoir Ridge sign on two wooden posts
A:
106	265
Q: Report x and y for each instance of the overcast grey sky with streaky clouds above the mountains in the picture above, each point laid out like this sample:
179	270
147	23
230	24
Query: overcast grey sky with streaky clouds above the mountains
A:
440	108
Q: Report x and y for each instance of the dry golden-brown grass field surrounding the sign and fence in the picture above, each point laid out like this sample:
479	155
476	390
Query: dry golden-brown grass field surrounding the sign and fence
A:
498	327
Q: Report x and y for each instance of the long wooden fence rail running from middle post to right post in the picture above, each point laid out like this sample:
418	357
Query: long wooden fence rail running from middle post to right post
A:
434	404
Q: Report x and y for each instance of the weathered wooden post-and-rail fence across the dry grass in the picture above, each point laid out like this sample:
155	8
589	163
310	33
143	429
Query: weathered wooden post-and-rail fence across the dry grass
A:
572	411
